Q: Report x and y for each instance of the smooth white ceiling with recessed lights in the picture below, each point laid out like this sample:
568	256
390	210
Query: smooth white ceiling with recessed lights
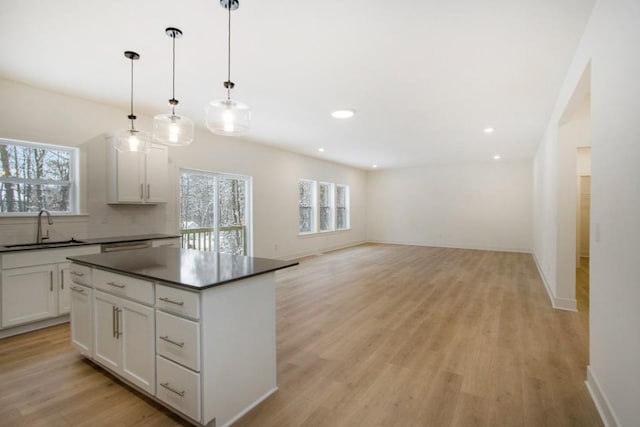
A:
424	76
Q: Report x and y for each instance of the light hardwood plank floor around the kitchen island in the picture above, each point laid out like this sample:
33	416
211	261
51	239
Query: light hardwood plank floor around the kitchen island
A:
376	335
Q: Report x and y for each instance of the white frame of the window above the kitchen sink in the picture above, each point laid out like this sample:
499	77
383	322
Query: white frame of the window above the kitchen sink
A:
73	182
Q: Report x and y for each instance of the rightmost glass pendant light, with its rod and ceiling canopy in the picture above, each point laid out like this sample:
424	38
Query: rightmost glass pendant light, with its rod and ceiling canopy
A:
226	116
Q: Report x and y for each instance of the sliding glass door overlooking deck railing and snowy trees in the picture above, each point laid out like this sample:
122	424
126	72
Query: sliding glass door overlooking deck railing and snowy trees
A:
215	212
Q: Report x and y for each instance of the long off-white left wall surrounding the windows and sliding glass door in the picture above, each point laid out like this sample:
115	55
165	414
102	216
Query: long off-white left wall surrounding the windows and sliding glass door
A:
41	116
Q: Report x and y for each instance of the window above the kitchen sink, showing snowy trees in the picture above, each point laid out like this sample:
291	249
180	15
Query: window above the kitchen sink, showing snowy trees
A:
37	176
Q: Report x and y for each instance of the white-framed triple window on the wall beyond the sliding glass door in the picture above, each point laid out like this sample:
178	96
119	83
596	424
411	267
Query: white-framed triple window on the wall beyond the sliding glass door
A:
323	206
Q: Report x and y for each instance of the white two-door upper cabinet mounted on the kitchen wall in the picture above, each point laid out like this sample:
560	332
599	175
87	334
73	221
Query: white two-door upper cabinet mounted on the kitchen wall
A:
137	178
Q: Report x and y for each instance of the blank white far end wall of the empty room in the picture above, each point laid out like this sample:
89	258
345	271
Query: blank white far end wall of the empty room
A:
482	206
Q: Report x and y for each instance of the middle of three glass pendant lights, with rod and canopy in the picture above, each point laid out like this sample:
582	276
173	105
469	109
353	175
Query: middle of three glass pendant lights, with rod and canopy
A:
171	129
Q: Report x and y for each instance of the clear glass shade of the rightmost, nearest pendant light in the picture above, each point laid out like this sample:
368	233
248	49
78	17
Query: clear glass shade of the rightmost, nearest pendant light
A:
228	117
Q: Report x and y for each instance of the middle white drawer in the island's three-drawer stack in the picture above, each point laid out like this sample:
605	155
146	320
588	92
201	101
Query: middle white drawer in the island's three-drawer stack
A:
178	339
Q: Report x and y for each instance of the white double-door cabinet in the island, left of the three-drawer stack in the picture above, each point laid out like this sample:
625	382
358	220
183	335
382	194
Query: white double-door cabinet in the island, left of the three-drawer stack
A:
124	339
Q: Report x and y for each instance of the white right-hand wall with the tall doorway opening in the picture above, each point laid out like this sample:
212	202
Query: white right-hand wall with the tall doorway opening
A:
611	43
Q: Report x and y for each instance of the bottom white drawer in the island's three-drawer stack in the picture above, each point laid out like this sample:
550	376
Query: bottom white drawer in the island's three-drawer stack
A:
178	387
